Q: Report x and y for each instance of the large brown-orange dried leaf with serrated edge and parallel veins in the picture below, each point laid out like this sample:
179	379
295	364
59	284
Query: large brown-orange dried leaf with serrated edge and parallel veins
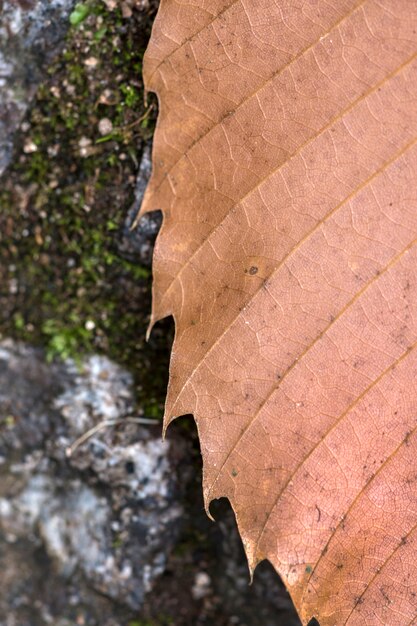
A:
285	163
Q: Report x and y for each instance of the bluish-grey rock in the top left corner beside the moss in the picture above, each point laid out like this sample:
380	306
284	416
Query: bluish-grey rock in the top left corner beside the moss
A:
31	33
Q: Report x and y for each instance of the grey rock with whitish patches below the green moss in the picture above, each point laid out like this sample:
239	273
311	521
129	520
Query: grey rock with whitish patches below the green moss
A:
108	514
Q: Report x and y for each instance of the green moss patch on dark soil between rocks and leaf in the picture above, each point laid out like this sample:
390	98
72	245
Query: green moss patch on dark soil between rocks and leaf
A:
63	207
